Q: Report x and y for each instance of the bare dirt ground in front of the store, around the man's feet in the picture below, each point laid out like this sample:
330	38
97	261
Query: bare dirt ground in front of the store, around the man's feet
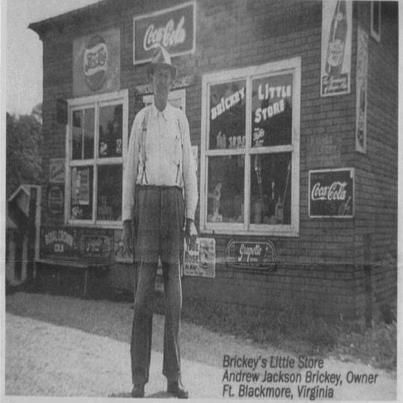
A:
63	346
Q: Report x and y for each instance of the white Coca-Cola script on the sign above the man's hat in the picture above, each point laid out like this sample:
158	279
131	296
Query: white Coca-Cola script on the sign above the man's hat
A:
167	35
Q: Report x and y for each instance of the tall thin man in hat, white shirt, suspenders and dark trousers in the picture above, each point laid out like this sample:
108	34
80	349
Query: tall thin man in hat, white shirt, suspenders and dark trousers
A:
159	202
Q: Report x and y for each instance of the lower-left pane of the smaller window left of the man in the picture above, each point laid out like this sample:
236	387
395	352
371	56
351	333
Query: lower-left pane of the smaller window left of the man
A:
81	192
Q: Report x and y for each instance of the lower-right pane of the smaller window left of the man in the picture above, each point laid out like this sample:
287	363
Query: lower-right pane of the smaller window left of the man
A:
109	192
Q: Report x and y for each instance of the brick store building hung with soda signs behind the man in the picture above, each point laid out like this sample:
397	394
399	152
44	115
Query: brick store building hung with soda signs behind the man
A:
293	109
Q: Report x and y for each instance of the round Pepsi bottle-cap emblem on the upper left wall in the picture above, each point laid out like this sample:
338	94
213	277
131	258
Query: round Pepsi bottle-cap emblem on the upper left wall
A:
95	63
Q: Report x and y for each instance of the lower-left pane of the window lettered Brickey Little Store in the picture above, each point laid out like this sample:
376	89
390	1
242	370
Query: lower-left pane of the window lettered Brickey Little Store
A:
225	189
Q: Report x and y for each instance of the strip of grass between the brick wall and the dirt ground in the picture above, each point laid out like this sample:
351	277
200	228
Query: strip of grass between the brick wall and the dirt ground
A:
297	330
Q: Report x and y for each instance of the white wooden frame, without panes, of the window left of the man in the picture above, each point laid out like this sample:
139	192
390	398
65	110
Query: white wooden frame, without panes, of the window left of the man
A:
96	102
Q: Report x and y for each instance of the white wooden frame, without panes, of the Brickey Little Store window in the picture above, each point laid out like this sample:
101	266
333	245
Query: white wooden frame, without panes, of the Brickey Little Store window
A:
288	66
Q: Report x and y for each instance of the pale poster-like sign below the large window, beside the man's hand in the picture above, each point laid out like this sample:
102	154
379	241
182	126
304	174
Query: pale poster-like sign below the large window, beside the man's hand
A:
201	260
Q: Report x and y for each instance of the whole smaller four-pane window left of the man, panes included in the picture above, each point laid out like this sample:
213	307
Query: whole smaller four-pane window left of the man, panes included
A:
98	142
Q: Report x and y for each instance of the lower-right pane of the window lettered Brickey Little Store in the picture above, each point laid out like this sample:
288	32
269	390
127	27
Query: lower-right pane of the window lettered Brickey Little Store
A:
270	189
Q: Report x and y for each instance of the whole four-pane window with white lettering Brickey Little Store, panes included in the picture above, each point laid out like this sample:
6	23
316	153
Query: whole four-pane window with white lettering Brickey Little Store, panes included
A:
250	176
